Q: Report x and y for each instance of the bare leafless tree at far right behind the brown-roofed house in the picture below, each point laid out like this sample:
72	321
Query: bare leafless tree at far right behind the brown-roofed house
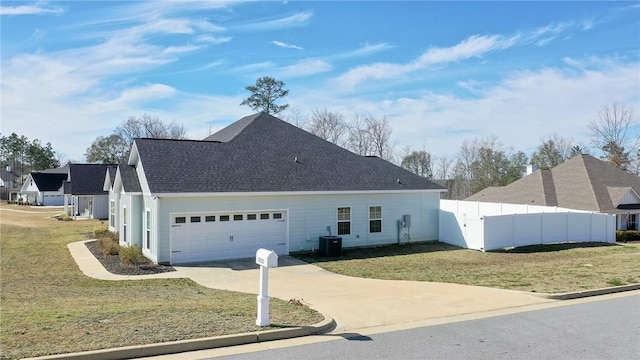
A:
610	133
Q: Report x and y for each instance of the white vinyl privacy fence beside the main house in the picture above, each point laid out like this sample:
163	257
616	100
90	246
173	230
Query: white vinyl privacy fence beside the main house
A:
490	226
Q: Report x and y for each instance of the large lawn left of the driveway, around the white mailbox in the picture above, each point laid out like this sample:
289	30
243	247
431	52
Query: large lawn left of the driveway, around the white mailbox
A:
47	306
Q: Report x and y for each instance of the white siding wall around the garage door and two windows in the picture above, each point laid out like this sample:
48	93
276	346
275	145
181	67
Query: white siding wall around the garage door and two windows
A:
309	216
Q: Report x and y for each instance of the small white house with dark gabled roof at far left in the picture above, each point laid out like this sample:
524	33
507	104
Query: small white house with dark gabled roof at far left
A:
44	187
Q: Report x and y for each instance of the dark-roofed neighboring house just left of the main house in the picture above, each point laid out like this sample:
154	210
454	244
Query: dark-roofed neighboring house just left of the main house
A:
83	191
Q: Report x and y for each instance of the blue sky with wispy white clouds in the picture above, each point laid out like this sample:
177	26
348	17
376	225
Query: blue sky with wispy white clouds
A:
438	72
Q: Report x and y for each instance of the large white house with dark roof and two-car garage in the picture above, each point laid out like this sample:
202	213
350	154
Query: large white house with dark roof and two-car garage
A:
261	182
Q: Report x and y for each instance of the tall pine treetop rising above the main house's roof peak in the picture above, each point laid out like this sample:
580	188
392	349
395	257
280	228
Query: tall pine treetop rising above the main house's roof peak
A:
264	95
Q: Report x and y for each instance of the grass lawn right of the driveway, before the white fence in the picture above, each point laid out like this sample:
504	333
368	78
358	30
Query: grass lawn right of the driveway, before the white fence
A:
547	269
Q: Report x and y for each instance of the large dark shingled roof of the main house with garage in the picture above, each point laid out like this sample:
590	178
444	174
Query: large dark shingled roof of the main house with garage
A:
261	153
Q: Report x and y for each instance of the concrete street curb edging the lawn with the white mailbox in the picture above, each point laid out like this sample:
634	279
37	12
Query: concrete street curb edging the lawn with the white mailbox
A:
180	346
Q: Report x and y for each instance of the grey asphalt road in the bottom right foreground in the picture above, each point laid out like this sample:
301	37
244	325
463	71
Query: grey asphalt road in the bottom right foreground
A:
605	329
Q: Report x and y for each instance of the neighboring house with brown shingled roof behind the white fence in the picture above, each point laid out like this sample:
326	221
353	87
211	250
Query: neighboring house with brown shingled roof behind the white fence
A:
583	183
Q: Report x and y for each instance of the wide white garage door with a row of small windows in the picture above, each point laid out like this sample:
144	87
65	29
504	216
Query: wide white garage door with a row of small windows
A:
230	235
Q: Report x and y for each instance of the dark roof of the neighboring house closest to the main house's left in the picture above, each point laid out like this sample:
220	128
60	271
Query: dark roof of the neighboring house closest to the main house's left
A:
87	179
